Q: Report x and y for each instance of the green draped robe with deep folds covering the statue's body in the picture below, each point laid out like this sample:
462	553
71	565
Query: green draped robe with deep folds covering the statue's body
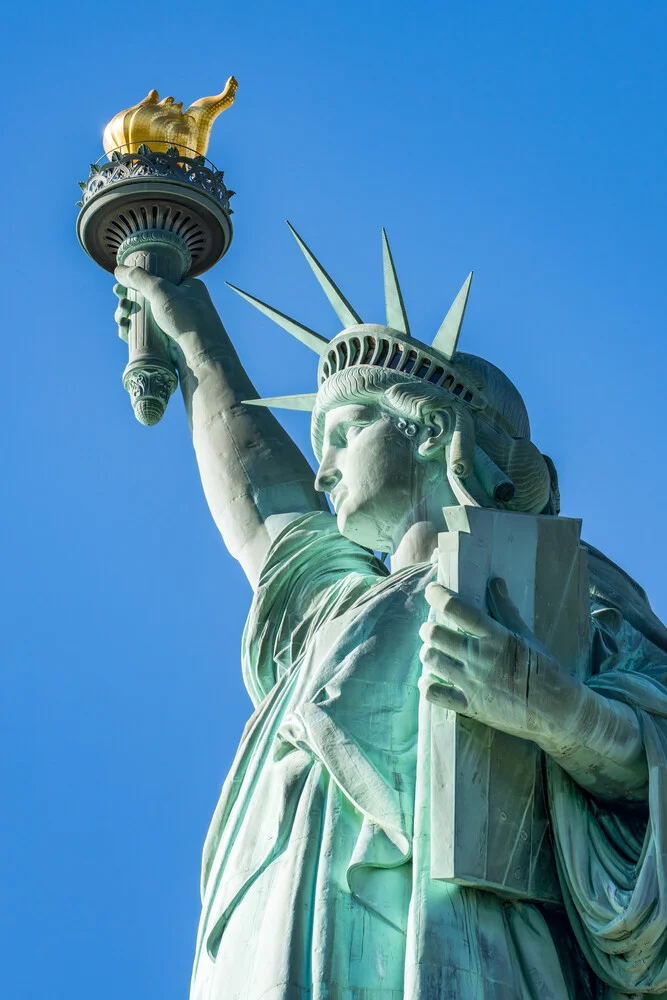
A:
315	880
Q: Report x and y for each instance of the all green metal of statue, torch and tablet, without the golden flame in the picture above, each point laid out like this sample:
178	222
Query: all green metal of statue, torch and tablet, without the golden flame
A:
453	781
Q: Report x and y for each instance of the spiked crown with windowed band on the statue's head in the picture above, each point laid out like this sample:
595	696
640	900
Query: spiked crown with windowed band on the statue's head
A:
390	347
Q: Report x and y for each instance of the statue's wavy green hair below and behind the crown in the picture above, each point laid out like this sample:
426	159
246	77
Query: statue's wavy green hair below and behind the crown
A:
494	442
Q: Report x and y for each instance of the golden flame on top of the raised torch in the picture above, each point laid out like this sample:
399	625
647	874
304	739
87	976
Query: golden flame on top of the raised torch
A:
162	123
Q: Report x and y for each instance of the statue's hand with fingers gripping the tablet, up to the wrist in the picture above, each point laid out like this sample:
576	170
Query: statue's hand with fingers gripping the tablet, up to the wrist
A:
492	669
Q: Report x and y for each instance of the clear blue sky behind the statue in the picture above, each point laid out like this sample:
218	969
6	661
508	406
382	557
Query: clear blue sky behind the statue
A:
524	140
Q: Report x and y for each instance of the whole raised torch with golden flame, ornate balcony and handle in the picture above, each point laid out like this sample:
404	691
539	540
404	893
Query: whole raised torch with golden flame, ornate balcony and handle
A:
156	202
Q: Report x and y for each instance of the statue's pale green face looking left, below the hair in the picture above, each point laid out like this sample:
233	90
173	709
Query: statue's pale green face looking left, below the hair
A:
370	469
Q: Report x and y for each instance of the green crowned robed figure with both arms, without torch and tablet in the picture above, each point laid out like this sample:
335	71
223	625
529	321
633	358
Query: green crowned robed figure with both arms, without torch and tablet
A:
316	881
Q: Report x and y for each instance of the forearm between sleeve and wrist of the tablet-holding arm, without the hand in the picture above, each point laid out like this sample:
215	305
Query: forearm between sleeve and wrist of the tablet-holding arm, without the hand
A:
598	742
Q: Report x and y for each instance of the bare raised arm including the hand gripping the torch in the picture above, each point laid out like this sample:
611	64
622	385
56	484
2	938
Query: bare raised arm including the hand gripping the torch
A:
255	478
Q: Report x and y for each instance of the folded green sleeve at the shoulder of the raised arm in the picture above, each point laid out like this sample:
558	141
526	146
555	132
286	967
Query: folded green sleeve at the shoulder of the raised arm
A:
311	574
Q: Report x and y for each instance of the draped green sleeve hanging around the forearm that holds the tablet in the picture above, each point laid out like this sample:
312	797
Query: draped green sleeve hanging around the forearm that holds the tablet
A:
612	862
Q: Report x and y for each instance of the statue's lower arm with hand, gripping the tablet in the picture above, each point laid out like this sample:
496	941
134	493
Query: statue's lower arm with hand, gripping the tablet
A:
498	674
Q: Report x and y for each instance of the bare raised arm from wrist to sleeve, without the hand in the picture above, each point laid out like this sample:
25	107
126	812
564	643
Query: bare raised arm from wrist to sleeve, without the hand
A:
251	470
